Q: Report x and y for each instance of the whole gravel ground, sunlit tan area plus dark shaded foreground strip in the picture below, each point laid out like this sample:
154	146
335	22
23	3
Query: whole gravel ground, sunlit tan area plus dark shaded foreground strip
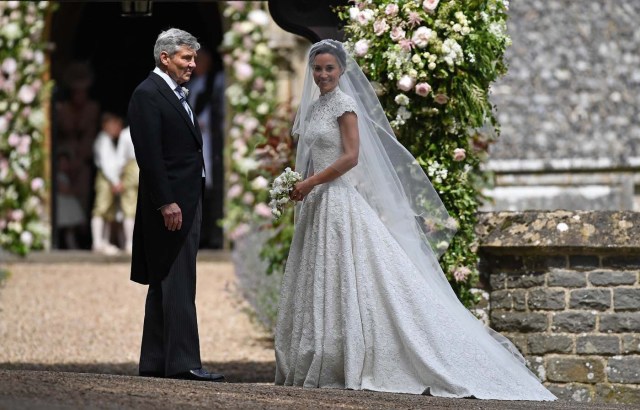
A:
70	338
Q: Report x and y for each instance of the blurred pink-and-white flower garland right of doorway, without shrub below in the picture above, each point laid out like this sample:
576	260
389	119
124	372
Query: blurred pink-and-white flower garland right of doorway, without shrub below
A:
260	145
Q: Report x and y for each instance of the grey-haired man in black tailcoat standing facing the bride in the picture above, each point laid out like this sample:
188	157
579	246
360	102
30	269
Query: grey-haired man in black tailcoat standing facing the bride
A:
168	148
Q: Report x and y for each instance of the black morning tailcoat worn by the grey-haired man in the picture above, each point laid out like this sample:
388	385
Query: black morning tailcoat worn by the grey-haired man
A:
168	149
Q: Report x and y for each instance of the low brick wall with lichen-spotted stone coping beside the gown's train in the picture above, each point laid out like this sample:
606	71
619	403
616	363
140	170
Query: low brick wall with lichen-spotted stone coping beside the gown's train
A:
564	287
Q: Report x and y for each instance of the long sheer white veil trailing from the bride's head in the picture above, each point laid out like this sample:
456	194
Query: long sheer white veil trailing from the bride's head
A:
394	185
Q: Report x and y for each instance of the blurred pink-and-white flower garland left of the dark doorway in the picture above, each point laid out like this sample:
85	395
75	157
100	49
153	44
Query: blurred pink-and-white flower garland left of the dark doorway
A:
22	121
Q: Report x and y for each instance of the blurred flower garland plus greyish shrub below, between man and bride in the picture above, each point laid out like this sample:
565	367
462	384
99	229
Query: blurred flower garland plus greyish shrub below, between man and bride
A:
259	147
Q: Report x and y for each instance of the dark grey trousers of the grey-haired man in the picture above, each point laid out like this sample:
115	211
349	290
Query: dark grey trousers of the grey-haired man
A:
170	342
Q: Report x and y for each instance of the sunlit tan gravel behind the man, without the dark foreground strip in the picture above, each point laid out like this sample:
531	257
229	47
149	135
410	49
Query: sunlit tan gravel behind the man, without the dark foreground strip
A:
88	318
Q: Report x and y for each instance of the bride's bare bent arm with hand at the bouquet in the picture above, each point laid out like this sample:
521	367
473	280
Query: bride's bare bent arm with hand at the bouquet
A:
348	123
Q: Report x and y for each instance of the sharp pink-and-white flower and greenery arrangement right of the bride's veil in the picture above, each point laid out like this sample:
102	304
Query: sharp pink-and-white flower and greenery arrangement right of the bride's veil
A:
432	63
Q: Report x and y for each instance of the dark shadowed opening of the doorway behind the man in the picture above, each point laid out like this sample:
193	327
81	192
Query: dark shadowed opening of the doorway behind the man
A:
119	52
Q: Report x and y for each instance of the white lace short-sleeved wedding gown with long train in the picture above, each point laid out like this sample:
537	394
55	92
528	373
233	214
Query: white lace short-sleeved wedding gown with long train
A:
354	312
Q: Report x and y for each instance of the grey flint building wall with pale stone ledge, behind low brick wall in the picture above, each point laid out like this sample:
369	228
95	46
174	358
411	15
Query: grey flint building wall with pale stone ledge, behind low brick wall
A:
569	107
